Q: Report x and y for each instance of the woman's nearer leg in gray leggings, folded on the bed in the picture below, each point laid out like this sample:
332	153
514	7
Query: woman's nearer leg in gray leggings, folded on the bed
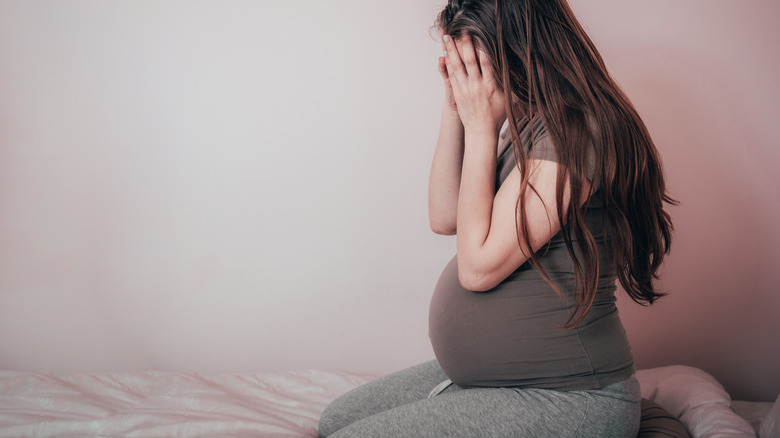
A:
504	412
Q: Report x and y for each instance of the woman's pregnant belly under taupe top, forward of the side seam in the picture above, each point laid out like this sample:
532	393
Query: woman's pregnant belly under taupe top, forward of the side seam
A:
508	336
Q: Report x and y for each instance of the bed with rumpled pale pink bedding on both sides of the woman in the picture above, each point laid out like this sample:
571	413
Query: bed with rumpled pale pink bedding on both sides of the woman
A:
288	404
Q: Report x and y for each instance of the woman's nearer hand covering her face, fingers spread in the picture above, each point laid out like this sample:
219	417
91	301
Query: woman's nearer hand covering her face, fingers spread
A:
469	75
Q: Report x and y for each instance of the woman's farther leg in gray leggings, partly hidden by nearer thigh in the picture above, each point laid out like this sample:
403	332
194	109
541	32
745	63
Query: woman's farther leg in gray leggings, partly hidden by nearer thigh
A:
388	392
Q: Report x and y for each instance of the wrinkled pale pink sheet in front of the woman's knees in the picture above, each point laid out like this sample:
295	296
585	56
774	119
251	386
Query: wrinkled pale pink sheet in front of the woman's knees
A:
164	404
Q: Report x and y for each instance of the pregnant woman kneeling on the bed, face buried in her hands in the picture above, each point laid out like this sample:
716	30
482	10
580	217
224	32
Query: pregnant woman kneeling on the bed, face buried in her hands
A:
549	179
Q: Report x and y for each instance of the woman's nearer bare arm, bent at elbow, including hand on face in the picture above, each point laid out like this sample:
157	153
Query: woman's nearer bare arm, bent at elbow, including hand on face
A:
488	245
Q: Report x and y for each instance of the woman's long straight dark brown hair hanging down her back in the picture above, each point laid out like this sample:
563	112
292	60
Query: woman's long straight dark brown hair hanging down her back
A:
549	68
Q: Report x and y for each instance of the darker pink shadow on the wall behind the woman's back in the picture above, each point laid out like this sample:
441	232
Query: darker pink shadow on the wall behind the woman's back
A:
720	314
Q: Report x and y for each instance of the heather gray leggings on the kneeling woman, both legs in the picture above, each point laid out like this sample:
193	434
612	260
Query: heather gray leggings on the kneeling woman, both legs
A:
399	405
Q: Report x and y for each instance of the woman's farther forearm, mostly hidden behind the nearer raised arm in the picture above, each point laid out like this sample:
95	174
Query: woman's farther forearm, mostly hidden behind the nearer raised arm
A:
444	181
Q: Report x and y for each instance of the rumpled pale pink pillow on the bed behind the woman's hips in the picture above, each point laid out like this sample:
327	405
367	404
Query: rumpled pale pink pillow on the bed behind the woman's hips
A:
696	398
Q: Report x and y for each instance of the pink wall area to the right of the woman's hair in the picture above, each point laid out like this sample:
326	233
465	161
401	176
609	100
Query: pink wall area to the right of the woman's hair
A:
704	75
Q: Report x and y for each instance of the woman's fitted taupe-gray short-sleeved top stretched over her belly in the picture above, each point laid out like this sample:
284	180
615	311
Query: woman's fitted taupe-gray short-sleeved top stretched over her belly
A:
511	335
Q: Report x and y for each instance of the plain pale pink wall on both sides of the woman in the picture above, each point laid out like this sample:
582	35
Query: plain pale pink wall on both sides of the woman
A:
234	186
